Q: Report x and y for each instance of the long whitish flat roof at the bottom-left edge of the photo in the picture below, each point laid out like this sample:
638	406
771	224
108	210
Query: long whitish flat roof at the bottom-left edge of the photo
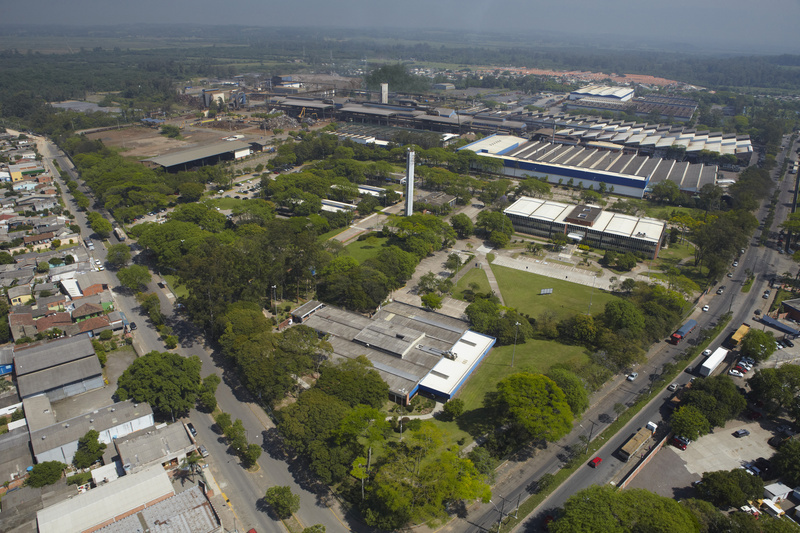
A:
97	505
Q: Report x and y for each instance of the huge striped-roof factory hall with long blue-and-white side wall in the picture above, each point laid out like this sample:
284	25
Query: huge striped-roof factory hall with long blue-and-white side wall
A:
589	167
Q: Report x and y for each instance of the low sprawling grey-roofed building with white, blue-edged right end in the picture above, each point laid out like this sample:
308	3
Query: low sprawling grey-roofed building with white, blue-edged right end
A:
412	349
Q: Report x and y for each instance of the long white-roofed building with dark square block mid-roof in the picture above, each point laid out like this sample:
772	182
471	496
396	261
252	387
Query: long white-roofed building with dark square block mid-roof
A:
589	225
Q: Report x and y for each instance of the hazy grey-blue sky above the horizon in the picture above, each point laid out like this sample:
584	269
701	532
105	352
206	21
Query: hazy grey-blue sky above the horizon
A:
739	26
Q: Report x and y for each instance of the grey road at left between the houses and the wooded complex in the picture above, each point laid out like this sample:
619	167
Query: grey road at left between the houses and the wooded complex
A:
244	489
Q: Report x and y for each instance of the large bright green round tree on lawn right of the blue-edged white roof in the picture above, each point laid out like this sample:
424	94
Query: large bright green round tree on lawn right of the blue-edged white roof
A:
533	404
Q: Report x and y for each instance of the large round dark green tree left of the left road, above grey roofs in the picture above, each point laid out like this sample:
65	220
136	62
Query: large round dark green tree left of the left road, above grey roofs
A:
167	381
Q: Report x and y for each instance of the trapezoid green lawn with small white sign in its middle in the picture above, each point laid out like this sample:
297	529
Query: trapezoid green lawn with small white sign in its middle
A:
521	290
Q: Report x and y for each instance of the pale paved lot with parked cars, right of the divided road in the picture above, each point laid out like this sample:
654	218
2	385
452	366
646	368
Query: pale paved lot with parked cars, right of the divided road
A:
672	471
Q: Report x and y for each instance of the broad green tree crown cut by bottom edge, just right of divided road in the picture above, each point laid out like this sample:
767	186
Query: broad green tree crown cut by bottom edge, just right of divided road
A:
606	509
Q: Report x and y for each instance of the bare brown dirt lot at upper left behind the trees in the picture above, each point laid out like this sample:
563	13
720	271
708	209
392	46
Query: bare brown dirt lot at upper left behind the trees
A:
143	142
